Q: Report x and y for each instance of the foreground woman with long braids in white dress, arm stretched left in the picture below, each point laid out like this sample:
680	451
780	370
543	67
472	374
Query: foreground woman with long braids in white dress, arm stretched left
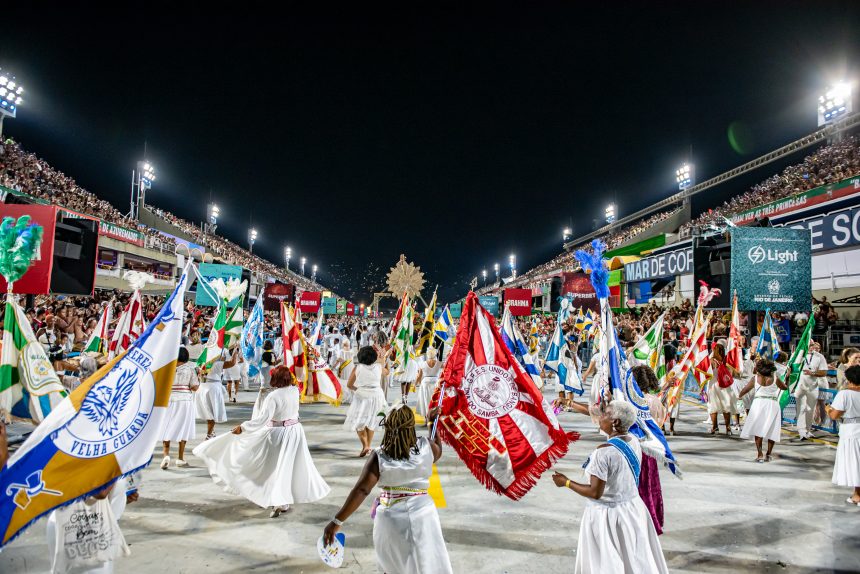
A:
407	534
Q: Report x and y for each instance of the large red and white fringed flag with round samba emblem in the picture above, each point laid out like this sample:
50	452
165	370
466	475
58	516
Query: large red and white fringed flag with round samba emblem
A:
492	413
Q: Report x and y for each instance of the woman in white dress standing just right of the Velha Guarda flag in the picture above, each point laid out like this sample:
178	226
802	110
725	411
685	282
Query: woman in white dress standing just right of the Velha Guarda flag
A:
179	425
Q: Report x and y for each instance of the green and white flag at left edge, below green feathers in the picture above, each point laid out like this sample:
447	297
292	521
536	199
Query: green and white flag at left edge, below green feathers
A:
29	386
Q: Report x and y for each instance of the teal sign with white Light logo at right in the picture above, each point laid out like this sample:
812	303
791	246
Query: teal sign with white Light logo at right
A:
772	269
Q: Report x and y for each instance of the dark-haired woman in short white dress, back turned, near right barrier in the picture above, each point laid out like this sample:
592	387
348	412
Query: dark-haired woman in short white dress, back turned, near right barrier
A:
764	421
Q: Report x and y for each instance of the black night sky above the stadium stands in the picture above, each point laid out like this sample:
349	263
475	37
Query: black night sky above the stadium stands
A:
453	132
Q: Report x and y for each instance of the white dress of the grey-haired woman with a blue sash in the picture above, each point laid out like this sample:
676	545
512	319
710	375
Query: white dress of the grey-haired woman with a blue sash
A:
616	534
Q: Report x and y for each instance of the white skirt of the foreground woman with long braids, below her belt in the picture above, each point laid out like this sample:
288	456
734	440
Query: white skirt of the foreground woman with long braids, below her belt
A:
408	538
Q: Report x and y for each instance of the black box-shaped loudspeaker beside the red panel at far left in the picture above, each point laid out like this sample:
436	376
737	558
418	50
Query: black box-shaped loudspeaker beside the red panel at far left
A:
75	250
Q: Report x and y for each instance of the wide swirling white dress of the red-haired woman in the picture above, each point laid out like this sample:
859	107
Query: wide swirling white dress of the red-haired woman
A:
269	463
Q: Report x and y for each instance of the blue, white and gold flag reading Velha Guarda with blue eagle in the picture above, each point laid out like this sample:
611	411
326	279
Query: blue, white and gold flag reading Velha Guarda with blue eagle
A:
105	429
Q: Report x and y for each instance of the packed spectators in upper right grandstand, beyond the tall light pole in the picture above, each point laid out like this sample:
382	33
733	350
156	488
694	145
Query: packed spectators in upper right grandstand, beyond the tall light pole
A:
828	164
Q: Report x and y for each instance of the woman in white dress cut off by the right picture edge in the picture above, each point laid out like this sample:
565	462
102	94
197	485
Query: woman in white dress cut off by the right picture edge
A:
845	408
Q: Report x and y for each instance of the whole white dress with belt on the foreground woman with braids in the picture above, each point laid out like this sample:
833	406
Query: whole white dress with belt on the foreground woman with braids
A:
407	534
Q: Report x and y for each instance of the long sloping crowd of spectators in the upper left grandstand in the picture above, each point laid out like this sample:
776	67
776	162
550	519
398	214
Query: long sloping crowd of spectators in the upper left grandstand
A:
29	174
